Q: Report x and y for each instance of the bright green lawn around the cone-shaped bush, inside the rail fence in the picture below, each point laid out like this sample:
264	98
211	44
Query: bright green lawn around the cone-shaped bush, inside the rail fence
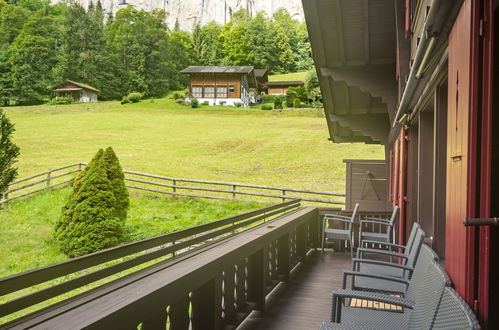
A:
26	225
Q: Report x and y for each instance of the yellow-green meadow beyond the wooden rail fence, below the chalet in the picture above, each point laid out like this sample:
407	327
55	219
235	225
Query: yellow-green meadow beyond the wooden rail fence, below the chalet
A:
288	148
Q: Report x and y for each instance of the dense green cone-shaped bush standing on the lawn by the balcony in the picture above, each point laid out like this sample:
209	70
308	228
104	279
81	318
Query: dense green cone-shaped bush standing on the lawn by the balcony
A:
94	216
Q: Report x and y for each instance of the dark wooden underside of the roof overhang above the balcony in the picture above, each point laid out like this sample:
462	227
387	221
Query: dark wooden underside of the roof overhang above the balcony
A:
354	49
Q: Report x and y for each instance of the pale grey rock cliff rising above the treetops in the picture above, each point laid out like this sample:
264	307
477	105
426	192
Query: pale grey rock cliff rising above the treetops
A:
189	12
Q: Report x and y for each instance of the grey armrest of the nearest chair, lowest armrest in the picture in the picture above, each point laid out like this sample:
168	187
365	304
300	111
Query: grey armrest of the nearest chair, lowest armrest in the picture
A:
339	295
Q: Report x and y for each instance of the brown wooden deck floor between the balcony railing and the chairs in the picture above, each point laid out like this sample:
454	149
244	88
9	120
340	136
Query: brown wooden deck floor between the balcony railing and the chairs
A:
305	302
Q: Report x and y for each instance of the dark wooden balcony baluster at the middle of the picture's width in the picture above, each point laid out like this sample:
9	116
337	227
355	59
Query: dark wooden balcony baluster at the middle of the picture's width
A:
256	280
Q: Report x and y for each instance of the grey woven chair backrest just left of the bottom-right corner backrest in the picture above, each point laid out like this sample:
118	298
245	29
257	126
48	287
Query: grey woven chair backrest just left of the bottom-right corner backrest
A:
428	296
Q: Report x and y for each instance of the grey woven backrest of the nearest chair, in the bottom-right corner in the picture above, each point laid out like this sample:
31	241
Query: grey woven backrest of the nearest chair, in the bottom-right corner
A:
454	313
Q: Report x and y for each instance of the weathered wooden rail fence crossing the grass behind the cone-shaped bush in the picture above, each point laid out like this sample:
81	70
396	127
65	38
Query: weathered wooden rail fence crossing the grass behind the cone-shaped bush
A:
177	187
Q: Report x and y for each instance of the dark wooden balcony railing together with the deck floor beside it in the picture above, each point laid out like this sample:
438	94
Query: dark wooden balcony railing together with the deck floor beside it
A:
259	270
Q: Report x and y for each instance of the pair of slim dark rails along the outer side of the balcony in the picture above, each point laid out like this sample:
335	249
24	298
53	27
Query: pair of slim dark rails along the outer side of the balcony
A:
126	257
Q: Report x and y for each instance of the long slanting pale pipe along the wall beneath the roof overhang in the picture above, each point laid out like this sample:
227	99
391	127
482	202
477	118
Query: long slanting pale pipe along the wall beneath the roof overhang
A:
423	52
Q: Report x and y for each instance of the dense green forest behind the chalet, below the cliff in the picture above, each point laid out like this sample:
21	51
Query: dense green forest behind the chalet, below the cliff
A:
134	51
